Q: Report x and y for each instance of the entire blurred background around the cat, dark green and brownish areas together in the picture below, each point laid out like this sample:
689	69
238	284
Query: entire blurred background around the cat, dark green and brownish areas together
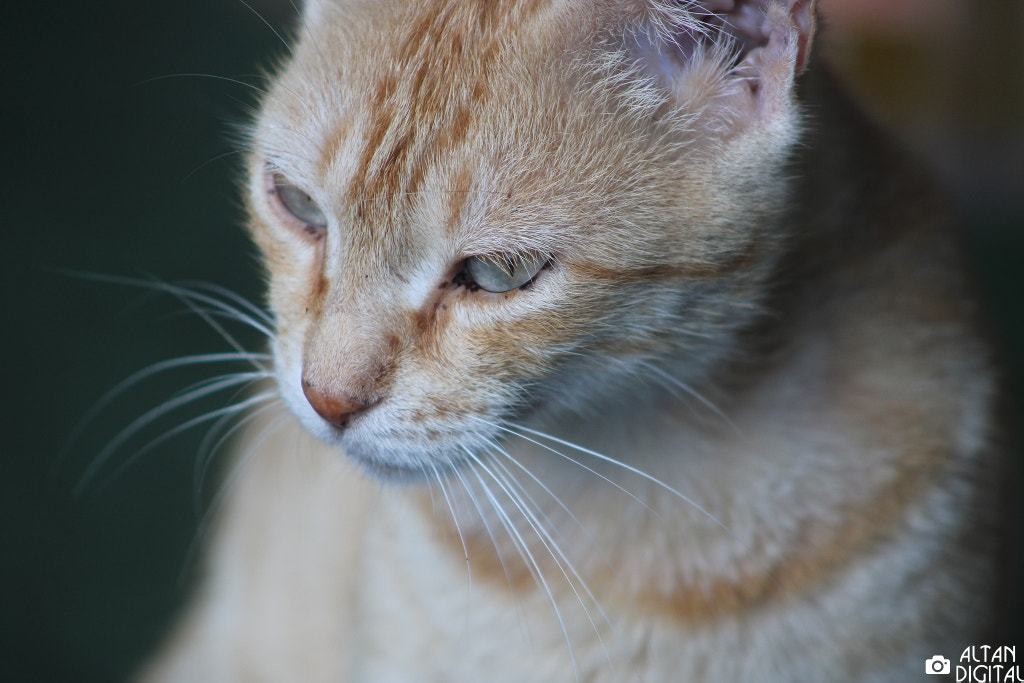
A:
119	124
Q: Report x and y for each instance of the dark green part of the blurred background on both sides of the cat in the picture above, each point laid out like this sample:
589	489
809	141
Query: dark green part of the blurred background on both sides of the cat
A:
112	173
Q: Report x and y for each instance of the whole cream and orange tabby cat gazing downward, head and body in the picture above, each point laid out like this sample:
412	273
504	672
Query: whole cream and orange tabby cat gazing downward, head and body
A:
612	344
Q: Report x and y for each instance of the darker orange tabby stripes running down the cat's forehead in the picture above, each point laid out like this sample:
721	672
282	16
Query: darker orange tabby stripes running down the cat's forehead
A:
438	77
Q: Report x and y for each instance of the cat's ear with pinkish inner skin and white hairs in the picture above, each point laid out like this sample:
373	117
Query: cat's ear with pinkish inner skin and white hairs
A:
744	54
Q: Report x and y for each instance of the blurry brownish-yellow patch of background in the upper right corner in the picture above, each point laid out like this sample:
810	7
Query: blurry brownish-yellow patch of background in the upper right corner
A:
947	75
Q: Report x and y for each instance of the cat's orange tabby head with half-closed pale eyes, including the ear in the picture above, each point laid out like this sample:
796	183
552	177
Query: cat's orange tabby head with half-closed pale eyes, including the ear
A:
477	211
